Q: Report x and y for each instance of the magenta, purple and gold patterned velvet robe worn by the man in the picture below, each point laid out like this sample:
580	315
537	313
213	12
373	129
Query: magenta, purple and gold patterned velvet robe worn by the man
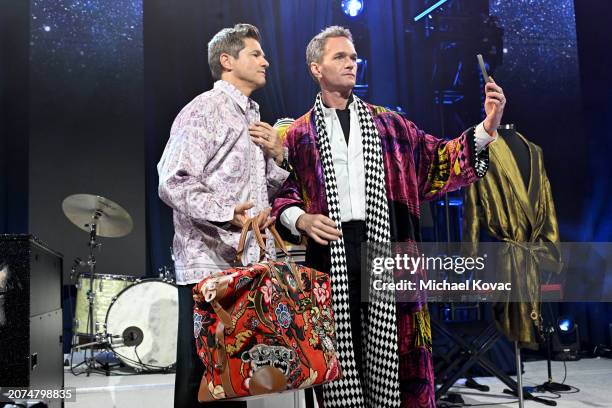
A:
418	167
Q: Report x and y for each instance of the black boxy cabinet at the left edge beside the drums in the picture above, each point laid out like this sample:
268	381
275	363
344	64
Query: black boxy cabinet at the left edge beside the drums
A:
30	314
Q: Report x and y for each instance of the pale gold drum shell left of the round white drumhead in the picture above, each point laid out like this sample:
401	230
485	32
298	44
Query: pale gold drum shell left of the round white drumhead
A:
104	289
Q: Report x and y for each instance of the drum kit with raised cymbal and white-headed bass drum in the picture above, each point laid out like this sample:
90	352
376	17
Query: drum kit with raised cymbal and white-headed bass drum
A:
134	319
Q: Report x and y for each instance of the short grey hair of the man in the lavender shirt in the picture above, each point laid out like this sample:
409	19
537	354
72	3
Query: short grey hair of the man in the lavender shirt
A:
228	41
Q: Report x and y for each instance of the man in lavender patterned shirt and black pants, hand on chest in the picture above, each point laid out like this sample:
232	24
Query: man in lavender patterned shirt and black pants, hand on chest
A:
220	166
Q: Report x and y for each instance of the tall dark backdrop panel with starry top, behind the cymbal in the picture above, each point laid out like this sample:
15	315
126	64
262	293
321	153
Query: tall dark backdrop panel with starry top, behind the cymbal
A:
86	114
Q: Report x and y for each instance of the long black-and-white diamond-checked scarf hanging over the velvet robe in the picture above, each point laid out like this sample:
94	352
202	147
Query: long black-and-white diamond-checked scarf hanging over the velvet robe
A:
379	330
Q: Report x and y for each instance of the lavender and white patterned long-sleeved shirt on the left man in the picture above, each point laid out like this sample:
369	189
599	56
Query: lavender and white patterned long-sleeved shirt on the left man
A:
208	166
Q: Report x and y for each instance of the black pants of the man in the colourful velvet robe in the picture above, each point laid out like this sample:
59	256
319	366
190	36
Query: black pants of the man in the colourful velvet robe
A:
317	256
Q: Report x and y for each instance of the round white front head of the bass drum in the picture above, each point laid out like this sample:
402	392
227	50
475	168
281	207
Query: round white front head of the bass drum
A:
142	325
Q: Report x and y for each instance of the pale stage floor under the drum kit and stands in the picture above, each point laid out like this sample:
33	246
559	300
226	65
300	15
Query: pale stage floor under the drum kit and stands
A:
592	376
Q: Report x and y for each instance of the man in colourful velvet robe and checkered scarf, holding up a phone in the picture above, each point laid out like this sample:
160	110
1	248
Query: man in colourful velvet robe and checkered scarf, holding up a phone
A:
359	174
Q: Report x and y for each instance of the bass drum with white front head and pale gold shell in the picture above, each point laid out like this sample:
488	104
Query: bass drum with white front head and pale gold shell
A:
143	340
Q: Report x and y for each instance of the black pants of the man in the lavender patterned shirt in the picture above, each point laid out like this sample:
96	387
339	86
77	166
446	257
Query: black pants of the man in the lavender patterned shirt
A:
189	368
